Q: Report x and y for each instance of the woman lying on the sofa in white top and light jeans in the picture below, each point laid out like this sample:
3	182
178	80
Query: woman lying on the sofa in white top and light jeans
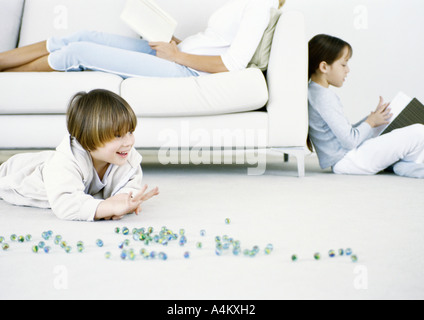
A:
223	46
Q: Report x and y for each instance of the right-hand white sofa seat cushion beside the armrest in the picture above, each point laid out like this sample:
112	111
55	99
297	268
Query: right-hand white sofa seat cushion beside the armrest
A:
213	94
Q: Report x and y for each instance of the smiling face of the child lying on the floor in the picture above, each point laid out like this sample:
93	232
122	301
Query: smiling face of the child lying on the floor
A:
115	151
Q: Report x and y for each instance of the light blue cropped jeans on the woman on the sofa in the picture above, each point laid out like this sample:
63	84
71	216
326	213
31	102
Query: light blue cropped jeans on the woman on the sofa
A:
124	56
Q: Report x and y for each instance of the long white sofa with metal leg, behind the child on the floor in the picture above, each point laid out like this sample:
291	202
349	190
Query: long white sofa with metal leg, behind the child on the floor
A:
236	110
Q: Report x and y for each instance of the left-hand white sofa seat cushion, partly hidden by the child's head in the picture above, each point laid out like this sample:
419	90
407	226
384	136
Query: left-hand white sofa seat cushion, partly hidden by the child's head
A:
48	92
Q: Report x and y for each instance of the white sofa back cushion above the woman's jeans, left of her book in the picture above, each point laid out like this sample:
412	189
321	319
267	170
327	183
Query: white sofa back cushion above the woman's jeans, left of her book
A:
45	18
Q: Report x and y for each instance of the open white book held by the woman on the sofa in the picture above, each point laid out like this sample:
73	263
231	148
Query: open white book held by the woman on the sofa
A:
147	19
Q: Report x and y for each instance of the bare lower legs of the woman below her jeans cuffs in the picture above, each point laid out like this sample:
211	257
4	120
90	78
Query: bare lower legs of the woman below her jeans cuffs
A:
22	56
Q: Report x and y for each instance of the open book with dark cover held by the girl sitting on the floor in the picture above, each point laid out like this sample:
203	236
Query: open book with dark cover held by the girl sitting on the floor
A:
406	111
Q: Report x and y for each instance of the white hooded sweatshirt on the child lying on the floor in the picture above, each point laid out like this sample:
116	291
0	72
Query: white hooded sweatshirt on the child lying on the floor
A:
66	181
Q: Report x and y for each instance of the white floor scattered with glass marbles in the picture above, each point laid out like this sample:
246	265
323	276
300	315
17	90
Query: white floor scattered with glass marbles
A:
381	218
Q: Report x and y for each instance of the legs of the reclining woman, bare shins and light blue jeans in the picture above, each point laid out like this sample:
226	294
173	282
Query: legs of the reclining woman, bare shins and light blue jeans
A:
90	50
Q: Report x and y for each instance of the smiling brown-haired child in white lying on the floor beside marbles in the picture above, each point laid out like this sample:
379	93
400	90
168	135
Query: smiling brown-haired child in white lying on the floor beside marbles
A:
94	174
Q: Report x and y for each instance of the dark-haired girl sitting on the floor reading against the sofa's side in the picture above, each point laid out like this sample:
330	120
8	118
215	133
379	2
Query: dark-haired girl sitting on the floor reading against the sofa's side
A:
354	149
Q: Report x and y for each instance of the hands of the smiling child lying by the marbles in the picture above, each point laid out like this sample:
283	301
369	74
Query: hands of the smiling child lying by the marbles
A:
121	204
